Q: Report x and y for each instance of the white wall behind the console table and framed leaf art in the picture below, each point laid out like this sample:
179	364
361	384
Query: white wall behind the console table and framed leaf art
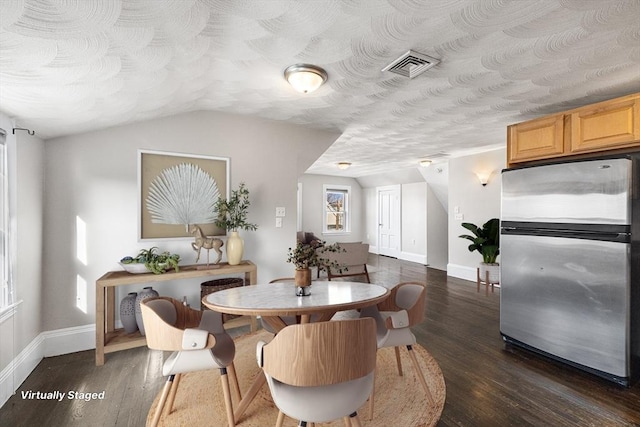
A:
93	176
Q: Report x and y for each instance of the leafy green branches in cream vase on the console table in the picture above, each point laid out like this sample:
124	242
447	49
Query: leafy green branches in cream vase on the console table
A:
232	216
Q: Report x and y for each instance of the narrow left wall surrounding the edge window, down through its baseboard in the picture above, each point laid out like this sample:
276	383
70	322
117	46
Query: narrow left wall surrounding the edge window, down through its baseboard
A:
17	331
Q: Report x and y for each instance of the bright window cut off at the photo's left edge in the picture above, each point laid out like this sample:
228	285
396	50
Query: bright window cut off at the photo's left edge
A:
7	295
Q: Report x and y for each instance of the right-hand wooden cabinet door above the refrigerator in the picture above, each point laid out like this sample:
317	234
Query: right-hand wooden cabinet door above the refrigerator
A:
606	125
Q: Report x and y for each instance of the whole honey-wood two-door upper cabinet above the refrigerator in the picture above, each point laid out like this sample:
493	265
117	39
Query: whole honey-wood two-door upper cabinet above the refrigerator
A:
605	126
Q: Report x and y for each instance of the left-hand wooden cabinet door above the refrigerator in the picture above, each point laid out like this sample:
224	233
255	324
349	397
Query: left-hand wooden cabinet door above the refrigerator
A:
536	139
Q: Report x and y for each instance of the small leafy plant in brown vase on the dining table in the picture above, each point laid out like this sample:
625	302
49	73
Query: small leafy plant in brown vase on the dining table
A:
305	256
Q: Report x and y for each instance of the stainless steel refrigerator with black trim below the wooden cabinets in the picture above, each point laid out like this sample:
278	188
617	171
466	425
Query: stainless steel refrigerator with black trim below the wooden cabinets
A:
569	263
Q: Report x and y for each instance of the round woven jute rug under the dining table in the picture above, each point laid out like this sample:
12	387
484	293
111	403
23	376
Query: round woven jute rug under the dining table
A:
399	400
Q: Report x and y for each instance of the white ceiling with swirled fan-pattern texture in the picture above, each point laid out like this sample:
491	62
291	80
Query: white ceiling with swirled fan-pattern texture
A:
72	66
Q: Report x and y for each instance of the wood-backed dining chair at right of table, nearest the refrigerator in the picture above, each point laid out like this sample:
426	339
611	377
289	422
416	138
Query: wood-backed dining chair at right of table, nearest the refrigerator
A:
394	317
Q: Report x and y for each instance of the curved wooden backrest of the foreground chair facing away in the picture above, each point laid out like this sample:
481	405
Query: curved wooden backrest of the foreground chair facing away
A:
322	353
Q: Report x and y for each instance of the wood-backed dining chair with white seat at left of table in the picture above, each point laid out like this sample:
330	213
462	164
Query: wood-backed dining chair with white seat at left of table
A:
198	342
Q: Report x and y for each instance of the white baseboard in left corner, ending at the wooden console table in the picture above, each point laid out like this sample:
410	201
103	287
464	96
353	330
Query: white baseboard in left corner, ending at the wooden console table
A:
46	344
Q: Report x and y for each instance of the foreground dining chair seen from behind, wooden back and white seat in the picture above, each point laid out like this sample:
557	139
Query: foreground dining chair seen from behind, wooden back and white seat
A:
320	372
